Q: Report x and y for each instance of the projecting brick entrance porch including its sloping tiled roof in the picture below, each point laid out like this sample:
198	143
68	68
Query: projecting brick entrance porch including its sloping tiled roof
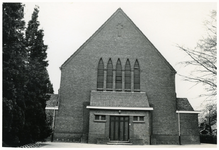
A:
123	117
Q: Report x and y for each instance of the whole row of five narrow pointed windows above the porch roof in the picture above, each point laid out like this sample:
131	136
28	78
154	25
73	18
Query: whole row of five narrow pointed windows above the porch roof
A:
117	79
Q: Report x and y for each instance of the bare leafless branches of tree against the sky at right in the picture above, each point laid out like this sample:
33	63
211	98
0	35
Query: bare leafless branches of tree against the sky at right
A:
203	58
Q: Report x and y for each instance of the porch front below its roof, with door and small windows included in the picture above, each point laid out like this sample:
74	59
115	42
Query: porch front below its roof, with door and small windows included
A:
119	126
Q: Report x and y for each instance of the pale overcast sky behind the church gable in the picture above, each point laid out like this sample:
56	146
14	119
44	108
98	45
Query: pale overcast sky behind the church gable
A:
68	25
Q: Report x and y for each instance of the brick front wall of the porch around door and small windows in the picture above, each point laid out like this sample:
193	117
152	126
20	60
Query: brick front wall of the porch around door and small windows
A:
139	132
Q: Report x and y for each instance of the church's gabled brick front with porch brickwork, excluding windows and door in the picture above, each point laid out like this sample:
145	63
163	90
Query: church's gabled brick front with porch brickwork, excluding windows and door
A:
117	38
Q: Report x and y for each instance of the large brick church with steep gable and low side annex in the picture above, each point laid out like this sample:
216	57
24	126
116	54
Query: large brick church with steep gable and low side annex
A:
117	88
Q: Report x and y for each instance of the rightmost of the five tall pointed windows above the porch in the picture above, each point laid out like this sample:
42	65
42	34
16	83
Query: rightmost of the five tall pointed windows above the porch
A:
136	76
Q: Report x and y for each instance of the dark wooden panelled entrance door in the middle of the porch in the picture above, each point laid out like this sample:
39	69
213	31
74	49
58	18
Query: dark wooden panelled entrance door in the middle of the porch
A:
119	128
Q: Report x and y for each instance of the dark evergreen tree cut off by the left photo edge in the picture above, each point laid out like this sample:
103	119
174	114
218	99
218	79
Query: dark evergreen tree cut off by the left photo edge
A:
14	73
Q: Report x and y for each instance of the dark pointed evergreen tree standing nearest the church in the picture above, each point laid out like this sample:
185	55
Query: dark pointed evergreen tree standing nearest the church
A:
38	81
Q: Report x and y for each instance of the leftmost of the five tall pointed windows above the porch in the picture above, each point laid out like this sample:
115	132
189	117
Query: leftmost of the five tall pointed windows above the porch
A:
100	74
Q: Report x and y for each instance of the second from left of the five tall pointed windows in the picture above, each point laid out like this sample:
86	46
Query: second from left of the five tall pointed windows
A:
109	75
